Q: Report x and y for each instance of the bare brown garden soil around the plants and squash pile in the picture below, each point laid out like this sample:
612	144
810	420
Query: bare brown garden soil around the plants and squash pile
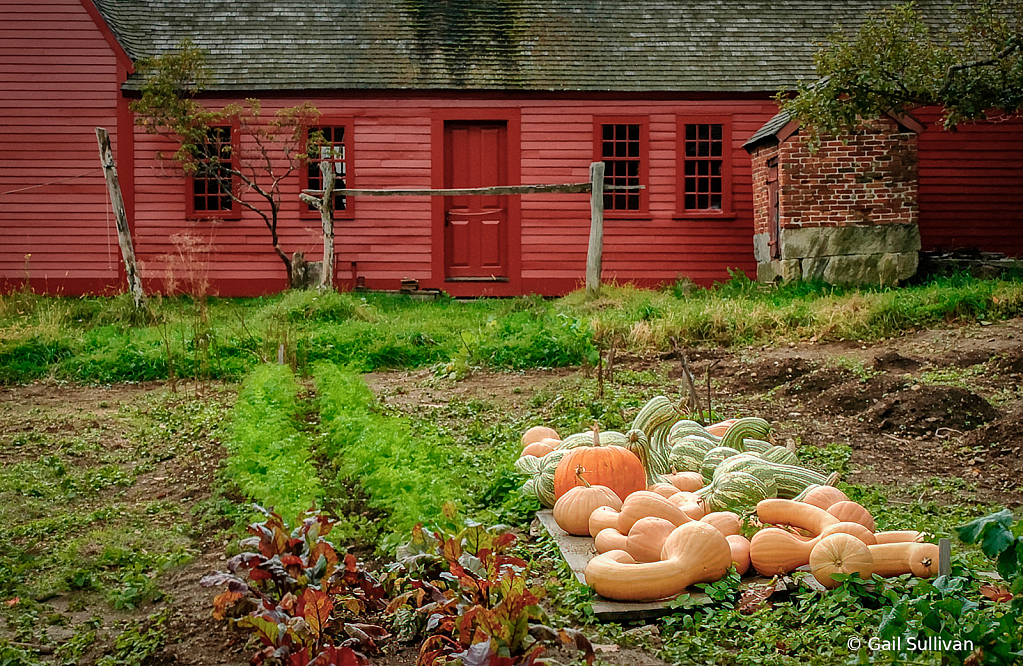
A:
943	405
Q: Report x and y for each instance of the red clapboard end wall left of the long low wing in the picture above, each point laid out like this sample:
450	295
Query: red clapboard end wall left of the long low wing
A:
59	81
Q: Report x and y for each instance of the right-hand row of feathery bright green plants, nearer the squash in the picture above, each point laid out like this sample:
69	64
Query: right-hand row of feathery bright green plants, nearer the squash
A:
410	473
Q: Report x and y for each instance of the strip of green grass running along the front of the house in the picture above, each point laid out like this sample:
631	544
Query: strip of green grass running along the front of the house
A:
103	340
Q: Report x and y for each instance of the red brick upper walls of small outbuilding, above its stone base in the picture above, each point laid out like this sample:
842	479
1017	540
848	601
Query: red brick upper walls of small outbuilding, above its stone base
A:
867	177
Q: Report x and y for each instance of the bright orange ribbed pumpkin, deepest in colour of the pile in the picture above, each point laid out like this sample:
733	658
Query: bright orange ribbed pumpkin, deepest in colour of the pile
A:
614	467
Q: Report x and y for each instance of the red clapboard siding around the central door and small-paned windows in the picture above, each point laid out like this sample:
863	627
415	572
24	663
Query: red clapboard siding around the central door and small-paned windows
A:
392	238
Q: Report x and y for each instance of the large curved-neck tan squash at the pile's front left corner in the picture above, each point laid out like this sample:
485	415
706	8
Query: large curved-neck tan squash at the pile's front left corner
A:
694	553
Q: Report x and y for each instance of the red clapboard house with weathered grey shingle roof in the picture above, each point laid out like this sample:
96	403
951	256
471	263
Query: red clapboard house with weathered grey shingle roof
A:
419	95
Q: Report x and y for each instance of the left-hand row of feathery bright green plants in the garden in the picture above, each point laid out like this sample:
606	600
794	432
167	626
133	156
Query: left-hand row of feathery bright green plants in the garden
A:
270	457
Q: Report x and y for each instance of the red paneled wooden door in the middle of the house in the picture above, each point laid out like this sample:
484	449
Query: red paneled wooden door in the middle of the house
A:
476	228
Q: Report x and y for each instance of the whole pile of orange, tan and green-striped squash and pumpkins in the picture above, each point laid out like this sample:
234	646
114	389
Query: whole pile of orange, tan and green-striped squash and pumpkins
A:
663	504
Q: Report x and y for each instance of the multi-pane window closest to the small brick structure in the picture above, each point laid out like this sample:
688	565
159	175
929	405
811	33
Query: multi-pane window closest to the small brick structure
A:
704	167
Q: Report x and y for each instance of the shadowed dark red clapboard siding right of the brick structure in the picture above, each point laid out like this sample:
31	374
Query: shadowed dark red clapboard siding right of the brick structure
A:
971	186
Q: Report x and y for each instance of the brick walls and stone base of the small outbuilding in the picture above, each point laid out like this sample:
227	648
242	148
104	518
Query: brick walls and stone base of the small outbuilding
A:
848	211
